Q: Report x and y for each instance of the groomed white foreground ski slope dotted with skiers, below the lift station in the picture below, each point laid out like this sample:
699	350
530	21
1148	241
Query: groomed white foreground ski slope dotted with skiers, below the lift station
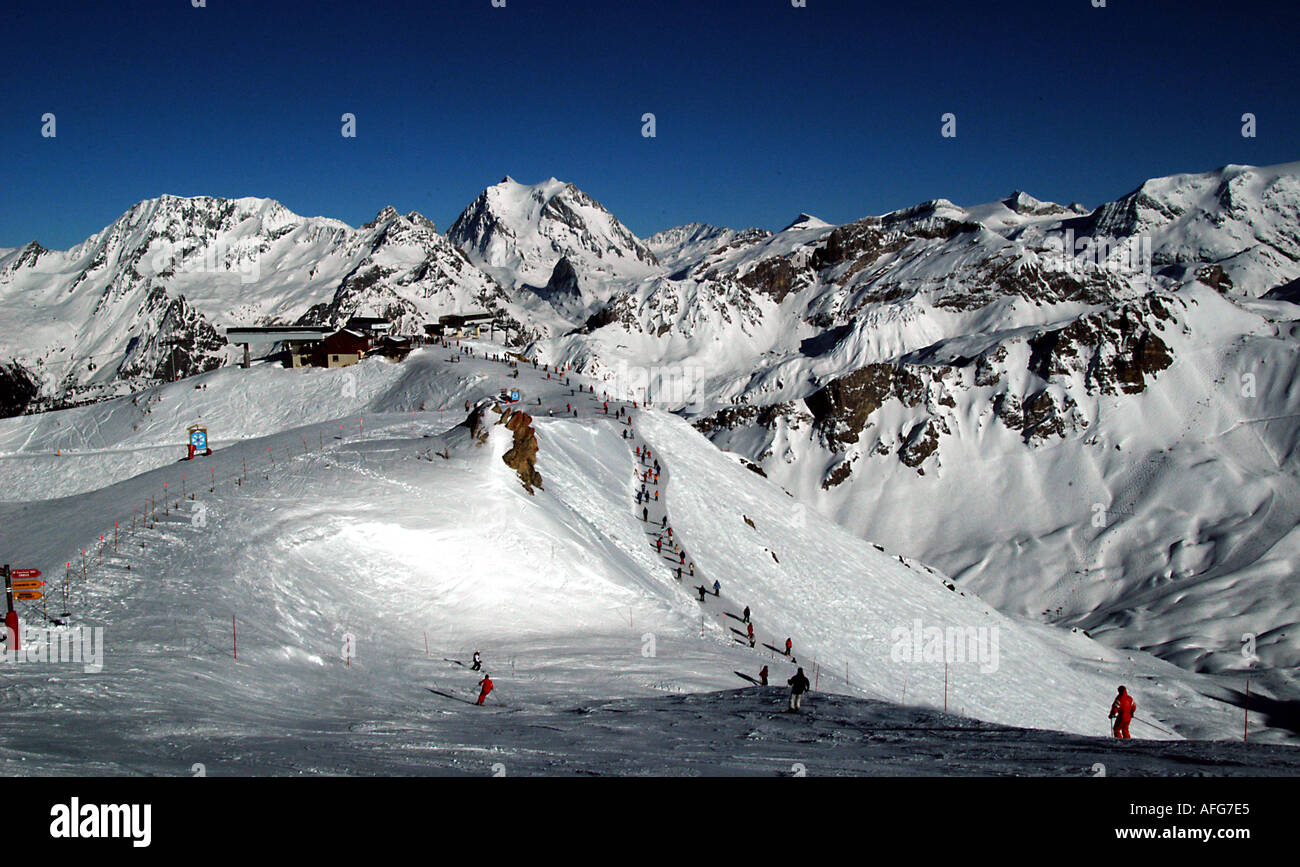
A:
356	541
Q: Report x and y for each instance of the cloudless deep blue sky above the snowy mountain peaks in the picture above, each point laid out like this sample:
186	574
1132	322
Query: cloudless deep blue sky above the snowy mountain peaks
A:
764	110
